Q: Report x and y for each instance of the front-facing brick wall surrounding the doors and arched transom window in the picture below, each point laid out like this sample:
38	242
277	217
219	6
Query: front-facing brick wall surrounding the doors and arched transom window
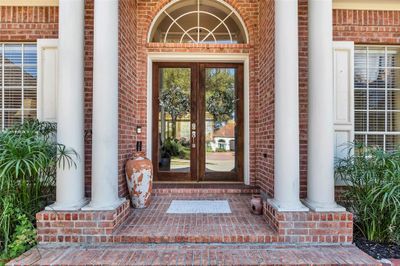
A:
147	10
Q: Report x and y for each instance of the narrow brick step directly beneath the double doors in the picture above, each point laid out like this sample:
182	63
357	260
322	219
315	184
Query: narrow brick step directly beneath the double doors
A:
162	189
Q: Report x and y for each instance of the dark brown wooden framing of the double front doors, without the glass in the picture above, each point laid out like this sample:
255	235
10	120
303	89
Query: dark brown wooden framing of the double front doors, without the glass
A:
197	172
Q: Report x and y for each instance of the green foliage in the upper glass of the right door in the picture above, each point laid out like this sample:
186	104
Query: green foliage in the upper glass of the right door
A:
220	95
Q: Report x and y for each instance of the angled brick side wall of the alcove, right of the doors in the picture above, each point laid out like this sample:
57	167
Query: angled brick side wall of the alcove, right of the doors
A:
265	113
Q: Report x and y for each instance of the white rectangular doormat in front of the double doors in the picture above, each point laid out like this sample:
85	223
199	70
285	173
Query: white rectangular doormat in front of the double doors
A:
199	206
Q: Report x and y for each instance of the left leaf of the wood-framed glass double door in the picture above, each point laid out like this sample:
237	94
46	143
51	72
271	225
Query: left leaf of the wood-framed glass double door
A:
174	113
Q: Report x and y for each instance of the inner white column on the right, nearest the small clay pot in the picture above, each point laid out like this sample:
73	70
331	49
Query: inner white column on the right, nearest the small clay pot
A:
287	180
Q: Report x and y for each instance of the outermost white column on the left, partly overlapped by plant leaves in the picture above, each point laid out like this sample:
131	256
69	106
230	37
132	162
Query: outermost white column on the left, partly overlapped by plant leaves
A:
70	113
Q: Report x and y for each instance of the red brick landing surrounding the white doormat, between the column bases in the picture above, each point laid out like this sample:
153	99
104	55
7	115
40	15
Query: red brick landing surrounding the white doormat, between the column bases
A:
154	225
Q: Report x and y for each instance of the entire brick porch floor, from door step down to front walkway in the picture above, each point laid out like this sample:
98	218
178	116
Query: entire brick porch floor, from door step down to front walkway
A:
153	237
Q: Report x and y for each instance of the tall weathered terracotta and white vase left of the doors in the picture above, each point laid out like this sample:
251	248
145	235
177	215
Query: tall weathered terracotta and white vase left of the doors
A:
139	177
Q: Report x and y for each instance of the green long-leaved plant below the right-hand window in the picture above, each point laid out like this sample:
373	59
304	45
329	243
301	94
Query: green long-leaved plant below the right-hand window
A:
373	191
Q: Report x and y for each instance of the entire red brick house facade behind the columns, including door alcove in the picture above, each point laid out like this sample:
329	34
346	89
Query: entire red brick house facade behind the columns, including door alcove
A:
363	27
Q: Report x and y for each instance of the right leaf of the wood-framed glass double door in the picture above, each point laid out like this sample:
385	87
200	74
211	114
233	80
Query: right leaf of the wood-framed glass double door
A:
222	114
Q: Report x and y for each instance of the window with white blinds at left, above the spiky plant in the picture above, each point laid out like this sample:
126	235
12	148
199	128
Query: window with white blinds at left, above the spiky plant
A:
18	83
